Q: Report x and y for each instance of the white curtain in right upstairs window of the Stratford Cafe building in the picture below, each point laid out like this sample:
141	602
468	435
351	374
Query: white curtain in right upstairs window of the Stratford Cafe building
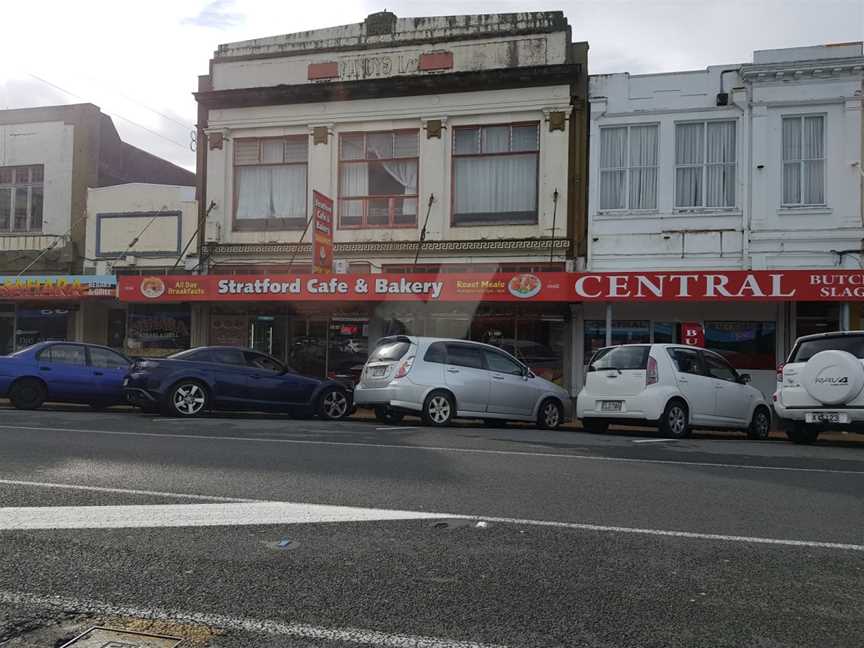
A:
495	185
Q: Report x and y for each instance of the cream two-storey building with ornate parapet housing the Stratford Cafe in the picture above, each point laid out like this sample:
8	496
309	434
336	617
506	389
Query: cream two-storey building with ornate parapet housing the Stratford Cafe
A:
449	145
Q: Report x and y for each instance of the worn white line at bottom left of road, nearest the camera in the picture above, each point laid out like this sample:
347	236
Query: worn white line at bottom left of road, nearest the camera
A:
242	624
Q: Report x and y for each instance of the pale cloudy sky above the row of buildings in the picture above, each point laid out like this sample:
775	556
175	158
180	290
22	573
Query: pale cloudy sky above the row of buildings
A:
140	61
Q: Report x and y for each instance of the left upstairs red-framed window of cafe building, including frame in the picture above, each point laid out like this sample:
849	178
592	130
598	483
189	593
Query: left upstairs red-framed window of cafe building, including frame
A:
270	183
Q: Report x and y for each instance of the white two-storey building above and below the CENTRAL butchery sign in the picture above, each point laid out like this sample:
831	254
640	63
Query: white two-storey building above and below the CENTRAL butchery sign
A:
737	167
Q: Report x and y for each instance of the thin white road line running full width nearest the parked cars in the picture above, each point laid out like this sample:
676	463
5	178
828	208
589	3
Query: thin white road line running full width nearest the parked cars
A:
479	451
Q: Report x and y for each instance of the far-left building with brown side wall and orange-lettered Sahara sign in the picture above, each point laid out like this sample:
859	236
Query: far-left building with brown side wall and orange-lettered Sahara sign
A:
49	157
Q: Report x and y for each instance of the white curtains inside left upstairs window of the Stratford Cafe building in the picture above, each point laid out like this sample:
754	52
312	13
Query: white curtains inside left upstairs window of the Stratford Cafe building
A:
271	192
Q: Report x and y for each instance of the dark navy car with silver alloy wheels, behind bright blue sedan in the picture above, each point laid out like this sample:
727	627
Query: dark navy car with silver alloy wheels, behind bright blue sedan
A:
192	382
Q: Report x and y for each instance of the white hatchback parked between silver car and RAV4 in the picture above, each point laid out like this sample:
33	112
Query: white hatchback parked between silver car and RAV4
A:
672	387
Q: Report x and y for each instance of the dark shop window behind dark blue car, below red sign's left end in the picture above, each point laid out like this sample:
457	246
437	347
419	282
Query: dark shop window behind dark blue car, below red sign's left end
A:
158	331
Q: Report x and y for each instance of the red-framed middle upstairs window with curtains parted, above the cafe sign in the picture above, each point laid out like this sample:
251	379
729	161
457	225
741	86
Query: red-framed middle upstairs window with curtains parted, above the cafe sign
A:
378	179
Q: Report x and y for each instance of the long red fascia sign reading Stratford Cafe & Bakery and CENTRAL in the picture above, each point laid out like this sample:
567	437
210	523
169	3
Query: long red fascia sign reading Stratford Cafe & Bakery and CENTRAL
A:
741	286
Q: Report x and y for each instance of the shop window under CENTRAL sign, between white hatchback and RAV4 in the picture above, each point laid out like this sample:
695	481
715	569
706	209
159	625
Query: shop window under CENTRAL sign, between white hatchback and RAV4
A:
744	345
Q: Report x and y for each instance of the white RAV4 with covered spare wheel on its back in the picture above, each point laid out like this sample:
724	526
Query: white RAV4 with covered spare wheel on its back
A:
820	385
